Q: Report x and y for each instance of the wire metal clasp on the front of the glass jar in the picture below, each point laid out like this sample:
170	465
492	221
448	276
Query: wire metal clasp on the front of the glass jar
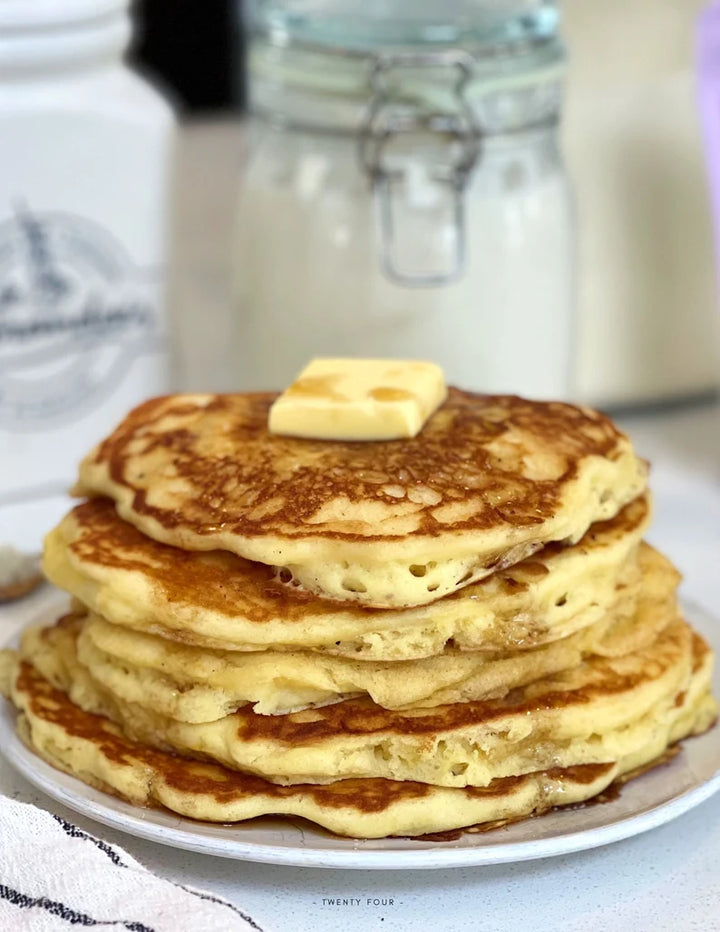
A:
420	161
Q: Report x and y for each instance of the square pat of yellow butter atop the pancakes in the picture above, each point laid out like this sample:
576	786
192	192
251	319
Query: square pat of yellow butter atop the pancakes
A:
359	399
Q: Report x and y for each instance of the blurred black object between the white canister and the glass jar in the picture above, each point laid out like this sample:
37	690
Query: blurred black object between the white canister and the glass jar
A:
195	49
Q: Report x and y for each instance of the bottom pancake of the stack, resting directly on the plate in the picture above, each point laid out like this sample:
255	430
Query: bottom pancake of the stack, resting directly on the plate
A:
95	750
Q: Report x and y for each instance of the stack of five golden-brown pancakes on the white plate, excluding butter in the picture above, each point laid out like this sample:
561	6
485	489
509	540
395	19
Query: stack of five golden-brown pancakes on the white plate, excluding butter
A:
386	638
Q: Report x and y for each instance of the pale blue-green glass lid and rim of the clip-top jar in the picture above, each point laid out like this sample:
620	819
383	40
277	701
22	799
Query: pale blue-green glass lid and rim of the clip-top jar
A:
322	63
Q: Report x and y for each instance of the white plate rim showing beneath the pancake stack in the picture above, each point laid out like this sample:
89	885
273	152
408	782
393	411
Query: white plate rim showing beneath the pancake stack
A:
142	823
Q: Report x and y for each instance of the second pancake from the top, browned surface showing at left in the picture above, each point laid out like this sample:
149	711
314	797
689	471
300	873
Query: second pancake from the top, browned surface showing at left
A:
220	601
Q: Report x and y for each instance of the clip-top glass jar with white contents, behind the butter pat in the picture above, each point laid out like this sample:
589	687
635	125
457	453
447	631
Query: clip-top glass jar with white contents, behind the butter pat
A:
407	199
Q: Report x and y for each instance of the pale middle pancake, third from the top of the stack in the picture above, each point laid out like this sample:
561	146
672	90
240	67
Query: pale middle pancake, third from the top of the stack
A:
196	684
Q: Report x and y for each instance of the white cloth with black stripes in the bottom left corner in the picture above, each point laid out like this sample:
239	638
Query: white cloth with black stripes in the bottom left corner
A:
54	876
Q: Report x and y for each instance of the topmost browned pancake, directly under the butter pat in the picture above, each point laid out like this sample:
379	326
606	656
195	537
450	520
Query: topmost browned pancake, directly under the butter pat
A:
486	483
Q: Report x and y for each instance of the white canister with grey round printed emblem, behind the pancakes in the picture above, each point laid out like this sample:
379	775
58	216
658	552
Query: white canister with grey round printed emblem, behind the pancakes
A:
85	148
